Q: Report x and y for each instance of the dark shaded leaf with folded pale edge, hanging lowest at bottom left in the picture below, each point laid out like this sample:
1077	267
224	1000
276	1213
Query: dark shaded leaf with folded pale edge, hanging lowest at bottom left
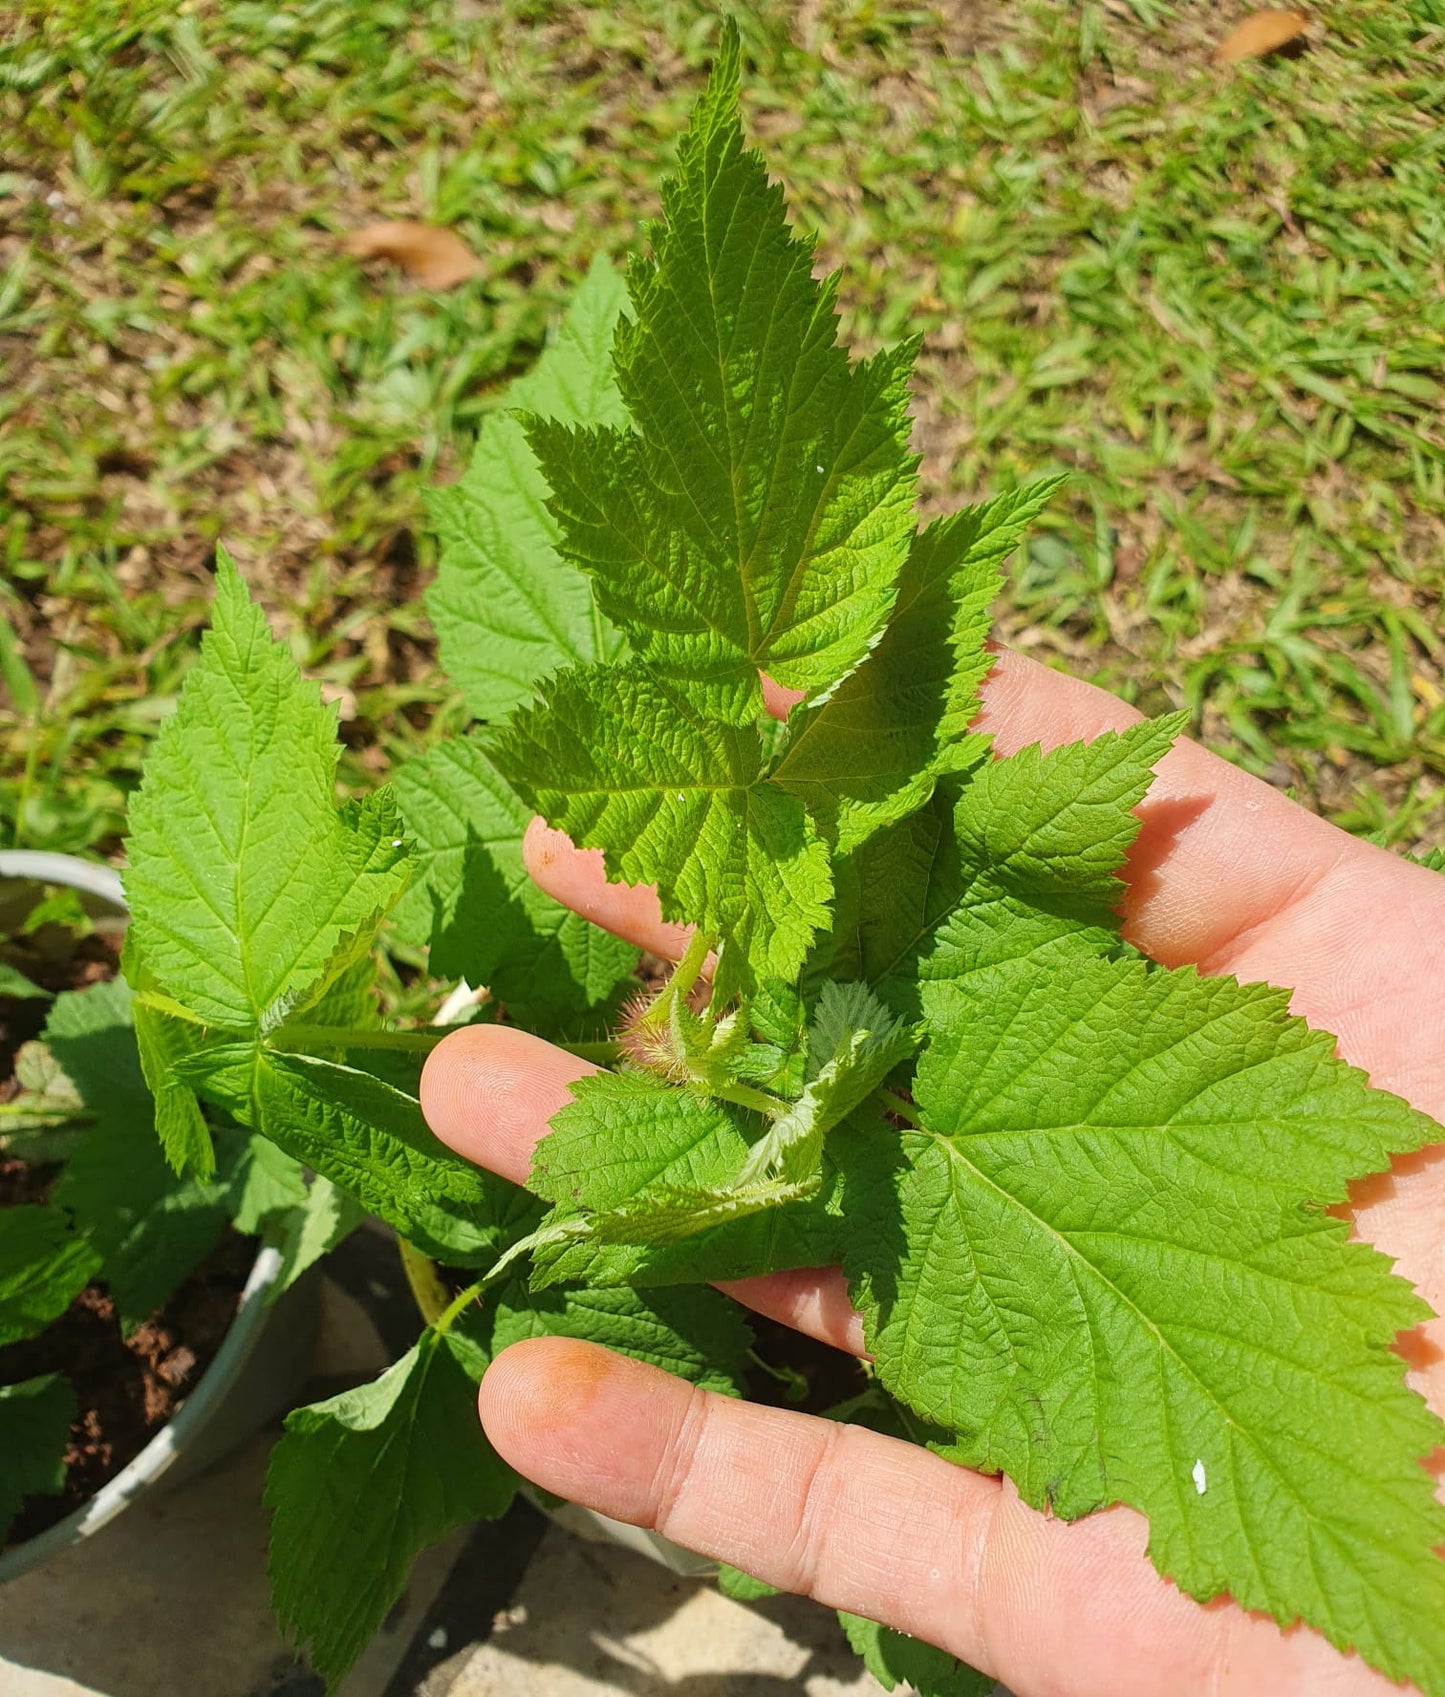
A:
362	1484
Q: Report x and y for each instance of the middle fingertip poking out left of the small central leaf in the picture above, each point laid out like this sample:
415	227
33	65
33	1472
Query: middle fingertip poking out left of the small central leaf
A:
491	1090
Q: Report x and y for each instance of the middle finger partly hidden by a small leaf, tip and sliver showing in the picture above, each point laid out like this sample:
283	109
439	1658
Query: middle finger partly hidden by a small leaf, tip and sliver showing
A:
491	1090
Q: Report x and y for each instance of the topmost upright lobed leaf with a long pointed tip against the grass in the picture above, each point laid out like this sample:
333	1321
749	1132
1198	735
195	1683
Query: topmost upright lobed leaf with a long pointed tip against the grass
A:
762	512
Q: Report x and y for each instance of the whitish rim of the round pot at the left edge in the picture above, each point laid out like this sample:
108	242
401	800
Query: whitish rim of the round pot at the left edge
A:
242	1336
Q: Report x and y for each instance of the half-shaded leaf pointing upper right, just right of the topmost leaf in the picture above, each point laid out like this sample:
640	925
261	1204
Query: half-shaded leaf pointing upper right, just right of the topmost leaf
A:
873	751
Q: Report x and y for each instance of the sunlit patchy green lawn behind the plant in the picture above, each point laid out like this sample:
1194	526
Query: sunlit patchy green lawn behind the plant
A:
1217	300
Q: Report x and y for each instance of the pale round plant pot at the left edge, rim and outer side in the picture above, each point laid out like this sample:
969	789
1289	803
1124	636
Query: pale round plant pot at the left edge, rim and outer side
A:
262	1362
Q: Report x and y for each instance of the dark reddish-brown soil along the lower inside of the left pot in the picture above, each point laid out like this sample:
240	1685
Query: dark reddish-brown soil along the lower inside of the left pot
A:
126	1389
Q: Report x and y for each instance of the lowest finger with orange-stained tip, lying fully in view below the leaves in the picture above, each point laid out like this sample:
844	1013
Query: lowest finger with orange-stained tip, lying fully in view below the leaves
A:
890	1532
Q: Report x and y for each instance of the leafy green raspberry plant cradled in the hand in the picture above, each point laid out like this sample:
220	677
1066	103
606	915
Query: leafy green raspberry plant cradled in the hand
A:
1081	1199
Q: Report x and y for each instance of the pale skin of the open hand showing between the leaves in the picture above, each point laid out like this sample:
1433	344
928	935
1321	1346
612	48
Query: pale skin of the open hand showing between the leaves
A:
1227	875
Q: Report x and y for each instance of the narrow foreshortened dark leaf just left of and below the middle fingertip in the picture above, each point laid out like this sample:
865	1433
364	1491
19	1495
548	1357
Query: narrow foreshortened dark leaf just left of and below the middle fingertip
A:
367	1138
